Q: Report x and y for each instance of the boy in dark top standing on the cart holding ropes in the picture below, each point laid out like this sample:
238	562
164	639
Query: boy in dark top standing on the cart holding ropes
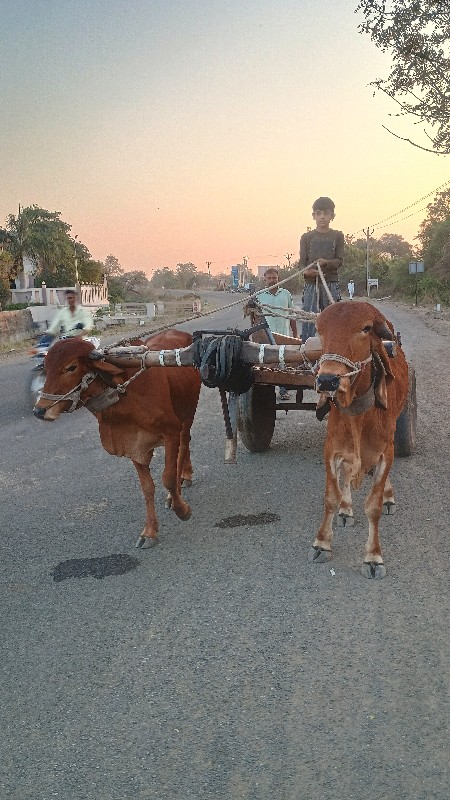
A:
325	246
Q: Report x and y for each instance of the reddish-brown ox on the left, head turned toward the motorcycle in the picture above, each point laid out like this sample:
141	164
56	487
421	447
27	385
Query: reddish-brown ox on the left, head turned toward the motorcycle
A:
156	409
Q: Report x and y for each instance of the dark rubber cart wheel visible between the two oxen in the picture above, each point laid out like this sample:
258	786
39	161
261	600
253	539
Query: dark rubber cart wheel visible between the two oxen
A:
256	417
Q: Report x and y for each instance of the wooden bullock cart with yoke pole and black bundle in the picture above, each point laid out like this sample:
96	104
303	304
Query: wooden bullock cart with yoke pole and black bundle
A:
249	401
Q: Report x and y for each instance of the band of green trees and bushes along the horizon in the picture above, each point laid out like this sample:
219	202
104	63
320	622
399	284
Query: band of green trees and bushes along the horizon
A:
45	239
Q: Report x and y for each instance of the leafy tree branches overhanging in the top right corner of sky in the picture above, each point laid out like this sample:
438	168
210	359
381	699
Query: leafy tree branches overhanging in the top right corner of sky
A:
416	33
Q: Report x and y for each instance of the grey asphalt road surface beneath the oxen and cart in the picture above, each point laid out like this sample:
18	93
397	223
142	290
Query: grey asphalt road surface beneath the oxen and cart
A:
221	664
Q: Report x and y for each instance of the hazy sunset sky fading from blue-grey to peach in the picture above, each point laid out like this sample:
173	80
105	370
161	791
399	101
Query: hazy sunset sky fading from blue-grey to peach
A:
168	131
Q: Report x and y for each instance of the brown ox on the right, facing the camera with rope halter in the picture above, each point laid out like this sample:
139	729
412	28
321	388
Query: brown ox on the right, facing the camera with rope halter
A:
366	391
